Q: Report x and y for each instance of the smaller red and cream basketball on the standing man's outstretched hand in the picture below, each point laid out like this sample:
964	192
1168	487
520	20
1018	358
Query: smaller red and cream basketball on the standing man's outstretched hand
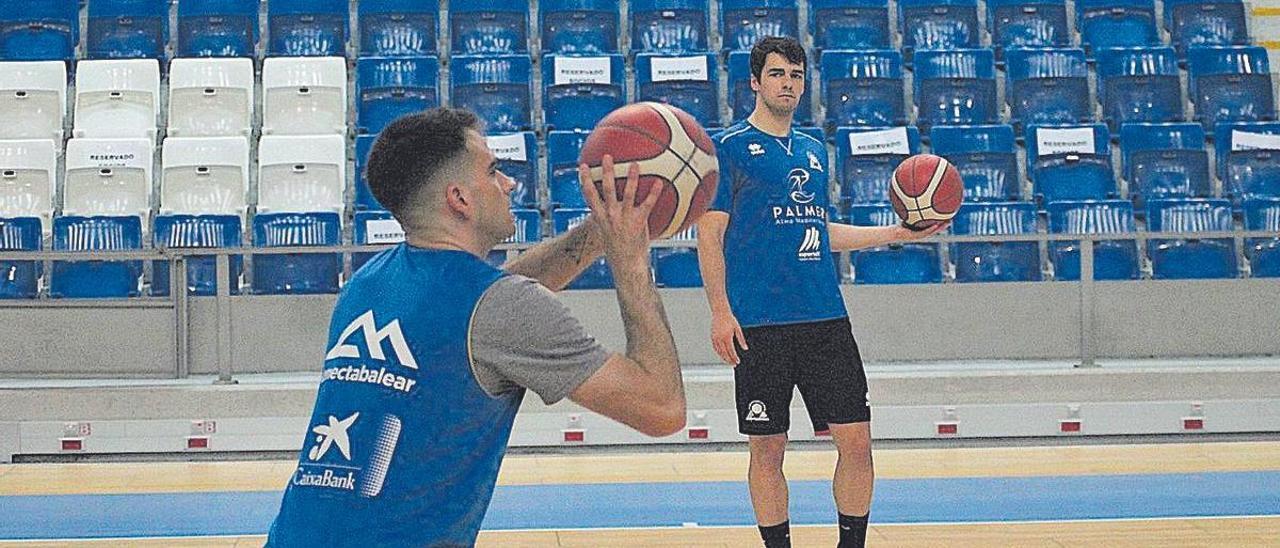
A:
926	191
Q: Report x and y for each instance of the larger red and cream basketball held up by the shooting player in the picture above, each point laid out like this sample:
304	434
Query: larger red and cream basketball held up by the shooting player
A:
670	148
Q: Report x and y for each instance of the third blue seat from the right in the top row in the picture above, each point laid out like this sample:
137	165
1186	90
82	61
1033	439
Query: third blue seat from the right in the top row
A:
1027	24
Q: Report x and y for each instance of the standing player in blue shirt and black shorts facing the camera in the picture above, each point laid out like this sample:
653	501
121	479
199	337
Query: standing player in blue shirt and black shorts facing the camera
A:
778	313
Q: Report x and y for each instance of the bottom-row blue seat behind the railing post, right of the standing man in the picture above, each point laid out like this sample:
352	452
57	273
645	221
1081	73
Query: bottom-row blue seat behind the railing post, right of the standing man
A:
1113	259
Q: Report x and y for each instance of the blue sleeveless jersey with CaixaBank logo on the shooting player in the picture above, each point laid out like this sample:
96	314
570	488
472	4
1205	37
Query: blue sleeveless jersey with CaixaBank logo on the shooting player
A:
404	446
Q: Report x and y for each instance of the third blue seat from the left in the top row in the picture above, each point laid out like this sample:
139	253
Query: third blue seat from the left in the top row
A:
217	29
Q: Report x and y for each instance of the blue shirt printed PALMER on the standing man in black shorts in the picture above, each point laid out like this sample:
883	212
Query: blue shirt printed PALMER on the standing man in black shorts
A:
778	259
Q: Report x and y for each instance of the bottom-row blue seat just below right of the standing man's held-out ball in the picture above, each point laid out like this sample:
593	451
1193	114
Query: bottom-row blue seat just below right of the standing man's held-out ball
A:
996	262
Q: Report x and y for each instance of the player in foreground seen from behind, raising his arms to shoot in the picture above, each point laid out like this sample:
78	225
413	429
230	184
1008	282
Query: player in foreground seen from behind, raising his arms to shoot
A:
431	350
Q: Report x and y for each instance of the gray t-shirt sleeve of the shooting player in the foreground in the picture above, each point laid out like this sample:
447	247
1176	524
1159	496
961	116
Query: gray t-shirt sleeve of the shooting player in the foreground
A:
523	336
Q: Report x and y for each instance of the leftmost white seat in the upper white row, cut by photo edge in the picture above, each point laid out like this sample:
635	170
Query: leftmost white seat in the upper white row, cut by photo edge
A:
33	101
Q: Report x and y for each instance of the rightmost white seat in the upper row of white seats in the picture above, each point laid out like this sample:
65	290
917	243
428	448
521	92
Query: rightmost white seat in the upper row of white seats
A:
305	97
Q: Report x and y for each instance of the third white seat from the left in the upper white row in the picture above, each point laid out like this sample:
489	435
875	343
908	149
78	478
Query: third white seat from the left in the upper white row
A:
211	98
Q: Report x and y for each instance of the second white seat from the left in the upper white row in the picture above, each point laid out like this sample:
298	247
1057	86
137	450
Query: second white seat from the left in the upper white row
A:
117	98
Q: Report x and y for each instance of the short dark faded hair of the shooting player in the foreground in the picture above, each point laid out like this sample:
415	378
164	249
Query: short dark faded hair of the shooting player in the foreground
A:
412	150
